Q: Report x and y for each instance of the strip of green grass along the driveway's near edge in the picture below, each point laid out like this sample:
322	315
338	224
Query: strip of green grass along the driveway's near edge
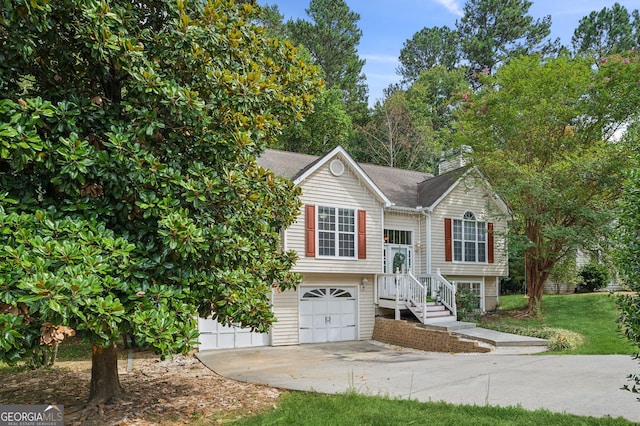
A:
351	409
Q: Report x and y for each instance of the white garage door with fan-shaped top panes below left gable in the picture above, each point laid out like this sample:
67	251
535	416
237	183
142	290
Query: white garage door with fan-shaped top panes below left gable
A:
328	314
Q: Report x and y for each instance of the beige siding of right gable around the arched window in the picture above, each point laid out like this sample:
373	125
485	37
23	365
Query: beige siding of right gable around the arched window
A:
482	204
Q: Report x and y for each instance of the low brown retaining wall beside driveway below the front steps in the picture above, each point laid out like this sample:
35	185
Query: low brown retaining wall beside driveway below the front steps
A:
411	335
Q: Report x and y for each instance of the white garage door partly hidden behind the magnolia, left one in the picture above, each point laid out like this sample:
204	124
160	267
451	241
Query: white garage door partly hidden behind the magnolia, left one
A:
214	335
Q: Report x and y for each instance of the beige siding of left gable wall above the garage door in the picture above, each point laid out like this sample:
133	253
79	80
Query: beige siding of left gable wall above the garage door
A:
324	189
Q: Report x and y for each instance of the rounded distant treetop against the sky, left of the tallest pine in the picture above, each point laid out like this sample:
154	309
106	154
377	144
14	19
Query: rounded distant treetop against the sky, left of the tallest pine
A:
428	48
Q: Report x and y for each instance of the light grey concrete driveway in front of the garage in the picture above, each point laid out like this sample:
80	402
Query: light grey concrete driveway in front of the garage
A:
586	385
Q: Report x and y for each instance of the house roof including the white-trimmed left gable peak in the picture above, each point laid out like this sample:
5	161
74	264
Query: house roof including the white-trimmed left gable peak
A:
396	187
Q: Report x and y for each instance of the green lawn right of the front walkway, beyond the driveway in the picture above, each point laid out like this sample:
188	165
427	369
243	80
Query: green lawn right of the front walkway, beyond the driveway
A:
593	315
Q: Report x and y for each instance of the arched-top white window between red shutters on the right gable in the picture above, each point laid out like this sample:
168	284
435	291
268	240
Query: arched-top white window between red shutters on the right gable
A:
469	239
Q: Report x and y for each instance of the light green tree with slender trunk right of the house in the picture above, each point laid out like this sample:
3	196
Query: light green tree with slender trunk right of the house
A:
541	132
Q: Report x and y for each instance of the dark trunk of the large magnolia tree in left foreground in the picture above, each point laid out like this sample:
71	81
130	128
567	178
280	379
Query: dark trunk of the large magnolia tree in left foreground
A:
105	384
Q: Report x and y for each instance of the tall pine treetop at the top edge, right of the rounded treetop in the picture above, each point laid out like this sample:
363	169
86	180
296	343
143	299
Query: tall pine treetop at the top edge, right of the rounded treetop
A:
491	31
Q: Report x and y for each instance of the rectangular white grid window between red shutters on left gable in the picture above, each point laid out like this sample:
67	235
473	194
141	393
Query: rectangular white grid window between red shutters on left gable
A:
336	232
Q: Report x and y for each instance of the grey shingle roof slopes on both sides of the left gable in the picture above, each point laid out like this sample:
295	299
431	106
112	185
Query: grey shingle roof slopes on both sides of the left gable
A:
405	188
